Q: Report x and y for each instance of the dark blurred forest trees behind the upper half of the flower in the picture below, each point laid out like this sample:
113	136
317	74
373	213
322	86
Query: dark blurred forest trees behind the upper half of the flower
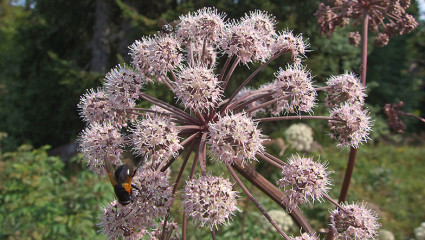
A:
51	51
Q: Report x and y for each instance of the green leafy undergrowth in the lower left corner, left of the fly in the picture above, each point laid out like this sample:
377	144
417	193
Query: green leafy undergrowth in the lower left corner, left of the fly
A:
39	200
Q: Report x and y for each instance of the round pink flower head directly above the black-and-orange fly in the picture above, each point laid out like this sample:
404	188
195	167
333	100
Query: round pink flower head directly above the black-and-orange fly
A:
101	141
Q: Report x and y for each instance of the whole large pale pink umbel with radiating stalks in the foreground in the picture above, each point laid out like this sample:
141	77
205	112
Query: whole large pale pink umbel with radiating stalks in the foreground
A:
226	127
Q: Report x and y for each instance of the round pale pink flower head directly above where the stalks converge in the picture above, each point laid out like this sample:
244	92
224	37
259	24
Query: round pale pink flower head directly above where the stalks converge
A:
198	88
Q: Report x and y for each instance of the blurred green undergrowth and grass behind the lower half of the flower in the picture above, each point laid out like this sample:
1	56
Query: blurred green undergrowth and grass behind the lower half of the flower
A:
43	198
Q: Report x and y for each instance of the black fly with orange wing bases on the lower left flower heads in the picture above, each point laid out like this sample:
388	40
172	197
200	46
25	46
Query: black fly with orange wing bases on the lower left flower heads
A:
121	180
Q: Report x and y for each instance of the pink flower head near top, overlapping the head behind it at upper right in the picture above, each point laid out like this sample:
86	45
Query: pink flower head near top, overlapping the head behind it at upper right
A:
242	40
